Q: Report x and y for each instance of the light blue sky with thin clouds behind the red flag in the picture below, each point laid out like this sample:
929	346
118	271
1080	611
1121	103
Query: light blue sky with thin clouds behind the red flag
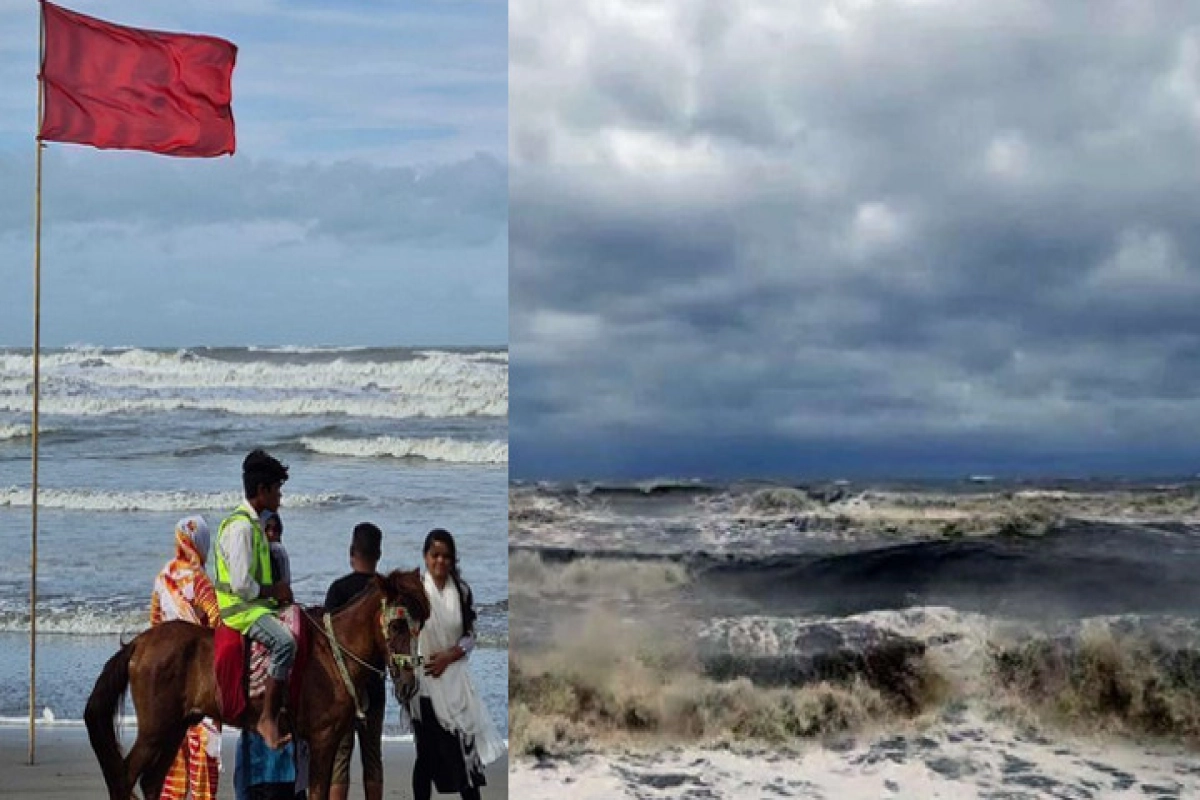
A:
367	203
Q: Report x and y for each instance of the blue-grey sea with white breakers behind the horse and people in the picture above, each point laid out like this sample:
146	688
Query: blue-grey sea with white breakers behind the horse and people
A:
133	440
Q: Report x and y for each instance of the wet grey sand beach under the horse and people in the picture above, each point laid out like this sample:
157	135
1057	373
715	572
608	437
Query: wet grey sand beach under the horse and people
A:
68	771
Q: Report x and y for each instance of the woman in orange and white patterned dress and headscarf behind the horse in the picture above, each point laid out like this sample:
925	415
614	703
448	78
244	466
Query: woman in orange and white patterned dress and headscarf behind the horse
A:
183	591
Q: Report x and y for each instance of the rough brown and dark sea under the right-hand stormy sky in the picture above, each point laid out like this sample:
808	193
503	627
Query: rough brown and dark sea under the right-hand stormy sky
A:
955	640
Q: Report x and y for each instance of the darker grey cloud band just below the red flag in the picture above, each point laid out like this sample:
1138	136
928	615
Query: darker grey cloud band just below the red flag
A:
457	204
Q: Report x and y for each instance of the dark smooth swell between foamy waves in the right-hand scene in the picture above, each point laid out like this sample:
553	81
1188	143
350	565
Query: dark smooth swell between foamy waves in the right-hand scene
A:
1072	570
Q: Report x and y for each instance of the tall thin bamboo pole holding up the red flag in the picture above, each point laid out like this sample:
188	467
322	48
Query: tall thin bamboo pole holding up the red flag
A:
38	351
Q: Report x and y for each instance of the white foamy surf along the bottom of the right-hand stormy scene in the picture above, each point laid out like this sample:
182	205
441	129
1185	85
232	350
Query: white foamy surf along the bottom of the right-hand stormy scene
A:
969	759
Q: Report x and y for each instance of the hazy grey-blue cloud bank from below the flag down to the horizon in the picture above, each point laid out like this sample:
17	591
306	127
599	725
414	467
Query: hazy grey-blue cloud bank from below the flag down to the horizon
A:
142	250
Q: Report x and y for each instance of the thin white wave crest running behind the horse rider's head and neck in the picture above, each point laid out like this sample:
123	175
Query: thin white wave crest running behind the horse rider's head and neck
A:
100	501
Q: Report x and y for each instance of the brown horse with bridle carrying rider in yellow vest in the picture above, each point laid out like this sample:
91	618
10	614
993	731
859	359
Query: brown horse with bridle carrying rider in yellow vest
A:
169	670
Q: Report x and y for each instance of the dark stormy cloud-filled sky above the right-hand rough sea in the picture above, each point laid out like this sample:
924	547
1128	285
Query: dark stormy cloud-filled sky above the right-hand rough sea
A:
855	238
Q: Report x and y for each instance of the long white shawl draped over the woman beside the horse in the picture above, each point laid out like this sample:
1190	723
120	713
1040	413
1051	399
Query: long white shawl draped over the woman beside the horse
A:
454	697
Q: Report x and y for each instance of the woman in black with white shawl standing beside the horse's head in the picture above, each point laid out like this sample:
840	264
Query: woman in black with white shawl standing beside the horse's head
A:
455	736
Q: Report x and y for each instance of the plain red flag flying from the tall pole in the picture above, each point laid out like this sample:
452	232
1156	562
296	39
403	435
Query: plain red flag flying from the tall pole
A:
121	88
